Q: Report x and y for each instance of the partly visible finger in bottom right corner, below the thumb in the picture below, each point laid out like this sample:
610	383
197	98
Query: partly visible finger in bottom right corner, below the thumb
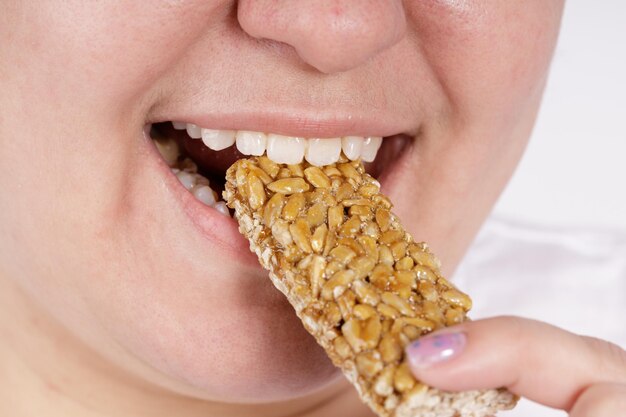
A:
601	400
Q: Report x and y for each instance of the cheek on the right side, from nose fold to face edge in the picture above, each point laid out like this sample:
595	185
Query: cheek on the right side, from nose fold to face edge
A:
491	60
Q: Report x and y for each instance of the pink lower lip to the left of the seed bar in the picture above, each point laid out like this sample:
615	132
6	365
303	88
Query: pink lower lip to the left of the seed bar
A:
212	225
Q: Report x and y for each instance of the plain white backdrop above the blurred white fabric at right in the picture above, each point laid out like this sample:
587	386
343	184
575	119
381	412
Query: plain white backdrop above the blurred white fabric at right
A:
574	171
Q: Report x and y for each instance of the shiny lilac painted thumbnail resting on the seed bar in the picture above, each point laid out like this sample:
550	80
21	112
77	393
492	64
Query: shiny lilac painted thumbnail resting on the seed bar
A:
435	348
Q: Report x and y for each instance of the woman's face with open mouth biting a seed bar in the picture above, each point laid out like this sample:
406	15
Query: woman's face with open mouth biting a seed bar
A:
96	229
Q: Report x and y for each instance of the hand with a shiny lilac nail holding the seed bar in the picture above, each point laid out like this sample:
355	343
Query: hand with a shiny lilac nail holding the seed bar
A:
582	375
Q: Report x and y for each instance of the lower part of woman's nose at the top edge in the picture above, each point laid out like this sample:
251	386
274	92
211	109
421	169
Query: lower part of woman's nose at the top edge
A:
330	35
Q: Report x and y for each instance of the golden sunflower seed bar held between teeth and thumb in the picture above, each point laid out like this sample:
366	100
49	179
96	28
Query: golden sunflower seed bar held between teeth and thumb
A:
357	280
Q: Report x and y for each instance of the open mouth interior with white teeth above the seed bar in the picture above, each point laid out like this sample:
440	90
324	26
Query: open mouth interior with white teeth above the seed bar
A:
199	157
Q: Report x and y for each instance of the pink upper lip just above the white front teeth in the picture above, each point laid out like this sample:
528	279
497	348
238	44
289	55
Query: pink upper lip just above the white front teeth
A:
319	125
